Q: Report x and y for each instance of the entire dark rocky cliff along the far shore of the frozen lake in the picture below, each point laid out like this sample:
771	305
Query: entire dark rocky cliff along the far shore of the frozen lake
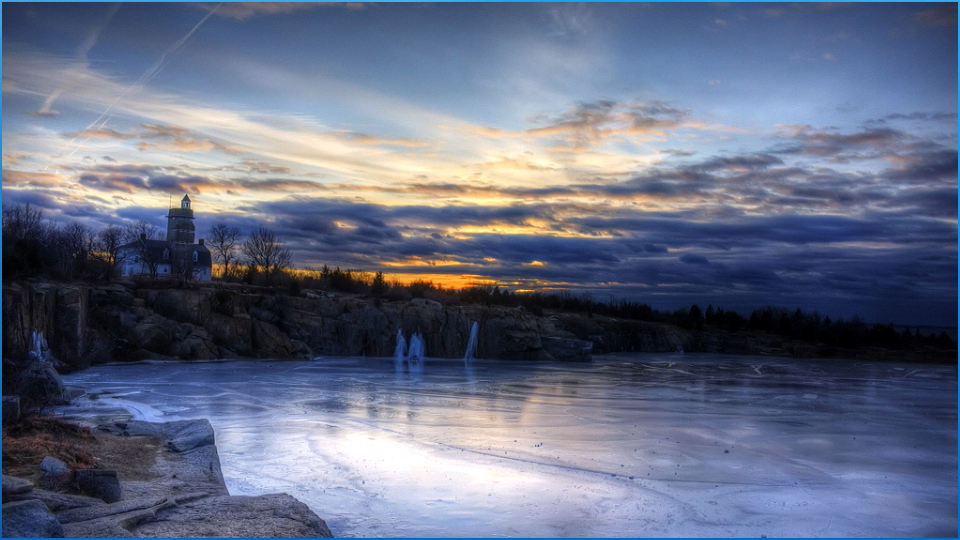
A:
127	321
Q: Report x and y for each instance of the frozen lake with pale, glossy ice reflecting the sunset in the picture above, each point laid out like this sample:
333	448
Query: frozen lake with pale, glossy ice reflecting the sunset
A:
638	445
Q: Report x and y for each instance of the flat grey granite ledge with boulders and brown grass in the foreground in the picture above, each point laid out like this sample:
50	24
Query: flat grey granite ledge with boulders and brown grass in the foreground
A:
173	488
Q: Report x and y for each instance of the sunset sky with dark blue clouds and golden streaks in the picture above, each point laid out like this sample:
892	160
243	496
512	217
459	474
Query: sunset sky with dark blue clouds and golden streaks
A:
737	155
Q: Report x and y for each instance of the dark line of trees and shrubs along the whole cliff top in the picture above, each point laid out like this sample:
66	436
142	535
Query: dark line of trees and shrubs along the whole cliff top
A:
36	247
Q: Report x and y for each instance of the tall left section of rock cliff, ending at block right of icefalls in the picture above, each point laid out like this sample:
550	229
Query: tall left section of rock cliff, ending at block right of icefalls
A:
119	322
